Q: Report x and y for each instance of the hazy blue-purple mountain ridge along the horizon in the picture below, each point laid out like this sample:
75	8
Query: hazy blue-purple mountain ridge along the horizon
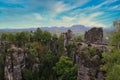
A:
77	29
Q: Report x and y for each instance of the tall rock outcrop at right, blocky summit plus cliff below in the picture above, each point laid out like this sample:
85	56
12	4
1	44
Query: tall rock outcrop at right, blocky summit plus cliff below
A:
90	56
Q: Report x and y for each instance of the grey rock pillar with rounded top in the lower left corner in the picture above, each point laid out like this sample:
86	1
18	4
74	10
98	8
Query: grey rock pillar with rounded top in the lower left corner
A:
13	66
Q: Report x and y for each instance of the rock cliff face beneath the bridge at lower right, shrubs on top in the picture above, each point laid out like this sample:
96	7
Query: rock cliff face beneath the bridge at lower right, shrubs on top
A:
89	65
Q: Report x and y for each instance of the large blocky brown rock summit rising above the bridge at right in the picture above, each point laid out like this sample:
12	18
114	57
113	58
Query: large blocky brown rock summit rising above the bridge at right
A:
94	35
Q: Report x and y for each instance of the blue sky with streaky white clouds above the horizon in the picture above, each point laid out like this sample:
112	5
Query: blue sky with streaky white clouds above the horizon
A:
49	13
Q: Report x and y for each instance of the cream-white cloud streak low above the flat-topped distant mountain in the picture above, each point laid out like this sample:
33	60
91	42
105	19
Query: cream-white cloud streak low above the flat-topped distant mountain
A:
83	19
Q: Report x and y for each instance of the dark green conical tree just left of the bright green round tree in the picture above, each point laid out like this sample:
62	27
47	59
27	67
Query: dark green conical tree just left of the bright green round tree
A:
47	71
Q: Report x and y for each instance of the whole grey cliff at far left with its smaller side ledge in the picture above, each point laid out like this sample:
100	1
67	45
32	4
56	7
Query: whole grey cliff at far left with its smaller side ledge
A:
15	61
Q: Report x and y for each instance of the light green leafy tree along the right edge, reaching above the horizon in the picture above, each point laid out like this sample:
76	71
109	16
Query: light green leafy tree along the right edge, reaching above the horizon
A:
112	66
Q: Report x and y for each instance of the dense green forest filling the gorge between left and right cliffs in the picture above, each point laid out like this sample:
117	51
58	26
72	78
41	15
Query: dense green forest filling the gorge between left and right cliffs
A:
41	61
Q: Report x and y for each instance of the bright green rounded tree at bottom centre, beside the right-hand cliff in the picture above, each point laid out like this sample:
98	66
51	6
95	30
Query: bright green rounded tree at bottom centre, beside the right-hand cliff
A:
65	69
